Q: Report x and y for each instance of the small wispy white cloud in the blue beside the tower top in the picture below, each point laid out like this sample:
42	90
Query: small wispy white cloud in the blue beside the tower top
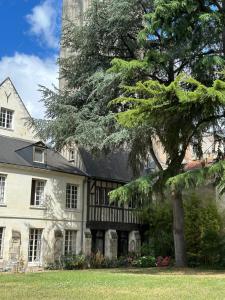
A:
44	23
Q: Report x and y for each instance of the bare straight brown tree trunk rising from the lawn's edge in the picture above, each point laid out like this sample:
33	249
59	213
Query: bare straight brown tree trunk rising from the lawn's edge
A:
178	230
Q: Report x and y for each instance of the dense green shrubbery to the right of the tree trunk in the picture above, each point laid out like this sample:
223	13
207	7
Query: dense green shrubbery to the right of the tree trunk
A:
204	230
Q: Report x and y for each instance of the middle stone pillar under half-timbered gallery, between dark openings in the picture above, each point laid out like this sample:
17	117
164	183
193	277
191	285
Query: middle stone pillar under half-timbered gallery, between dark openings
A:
111	244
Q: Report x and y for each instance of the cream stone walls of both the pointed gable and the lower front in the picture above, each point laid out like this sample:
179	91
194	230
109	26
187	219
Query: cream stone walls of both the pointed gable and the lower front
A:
17	216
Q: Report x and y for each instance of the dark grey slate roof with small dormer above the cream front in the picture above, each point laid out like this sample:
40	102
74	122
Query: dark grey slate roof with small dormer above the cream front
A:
20	152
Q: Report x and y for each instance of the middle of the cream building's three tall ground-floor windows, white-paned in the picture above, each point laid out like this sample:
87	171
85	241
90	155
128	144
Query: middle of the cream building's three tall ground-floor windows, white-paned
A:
34	251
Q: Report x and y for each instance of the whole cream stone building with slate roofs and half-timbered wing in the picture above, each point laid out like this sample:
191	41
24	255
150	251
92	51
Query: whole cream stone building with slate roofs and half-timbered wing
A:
52	205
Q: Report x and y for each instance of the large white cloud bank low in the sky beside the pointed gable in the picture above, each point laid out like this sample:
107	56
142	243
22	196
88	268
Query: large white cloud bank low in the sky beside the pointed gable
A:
27	72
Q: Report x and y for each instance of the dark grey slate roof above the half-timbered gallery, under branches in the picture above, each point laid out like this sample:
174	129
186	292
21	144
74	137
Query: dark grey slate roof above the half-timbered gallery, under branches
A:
113	166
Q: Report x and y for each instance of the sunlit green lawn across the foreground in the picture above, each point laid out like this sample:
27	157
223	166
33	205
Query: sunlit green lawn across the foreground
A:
114	284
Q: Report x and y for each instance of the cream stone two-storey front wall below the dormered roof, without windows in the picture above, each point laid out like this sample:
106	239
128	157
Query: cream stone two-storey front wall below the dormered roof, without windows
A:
18	215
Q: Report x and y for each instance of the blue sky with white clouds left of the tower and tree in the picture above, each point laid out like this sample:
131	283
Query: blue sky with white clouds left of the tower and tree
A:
29	47
